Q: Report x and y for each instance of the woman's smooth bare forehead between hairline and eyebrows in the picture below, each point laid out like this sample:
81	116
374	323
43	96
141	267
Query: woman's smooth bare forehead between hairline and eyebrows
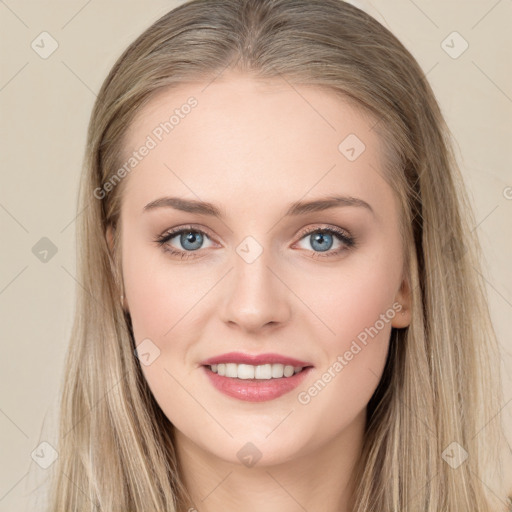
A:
239	135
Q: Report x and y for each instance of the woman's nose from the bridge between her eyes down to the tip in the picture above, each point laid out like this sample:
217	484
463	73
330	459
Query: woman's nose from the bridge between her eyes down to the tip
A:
255	296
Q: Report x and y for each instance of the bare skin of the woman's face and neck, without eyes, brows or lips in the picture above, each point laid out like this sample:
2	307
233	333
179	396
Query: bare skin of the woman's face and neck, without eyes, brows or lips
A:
252	148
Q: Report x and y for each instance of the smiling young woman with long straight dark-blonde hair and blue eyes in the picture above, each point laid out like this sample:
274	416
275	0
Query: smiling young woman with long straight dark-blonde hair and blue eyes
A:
281	307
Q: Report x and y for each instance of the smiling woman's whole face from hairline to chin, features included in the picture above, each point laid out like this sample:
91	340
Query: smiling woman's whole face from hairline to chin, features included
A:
256	272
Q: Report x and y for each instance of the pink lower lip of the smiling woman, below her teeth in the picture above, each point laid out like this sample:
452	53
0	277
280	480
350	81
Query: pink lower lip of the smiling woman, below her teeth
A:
251	390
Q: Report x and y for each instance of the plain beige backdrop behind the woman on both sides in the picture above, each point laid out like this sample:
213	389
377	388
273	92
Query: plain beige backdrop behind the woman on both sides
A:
46	103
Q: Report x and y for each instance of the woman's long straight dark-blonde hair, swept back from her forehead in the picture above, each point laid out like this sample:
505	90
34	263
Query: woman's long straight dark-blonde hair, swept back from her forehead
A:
441	381
